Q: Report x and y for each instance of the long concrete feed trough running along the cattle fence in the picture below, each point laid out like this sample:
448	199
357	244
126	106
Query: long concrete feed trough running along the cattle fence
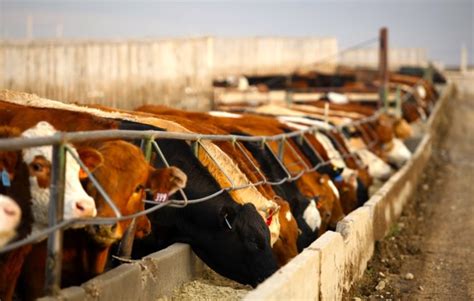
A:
345	252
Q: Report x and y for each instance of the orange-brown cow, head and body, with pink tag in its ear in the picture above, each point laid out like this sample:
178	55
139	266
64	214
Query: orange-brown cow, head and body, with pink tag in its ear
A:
122	161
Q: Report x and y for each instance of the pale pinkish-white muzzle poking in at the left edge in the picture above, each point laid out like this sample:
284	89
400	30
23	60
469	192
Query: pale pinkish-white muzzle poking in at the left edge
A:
10	216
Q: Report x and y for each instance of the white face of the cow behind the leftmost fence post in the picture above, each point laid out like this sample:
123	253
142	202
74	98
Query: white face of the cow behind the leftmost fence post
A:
77	203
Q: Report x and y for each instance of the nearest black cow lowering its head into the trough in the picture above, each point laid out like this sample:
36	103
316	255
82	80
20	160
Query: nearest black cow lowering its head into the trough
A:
231	238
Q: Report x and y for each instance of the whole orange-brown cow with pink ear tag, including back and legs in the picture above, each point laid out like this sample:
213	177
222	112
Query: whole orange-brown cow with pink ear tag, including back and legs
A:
120	161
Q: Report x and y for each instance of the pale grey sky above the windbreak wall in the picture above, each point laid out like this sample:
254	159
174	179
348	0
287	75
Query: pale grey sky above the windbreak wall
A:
441	26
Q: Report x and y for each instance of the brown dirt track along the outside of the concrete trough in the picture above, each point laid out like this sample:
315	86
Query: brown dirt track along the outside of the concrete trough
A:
429	253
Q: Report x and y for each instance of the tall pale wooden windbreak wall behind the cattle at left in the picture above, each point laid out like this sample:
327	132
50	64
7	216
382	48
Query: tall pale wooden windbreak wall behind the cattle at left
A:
129	73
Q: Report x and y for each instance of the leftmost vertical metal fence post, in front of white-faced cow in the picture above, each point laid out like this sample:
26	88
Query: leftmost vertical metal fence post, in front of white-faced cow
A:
55	216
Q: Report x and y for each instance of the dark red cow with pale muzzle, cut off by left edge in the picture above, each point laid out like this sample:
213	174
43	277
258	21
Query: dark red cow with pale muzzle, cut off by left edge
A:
13	188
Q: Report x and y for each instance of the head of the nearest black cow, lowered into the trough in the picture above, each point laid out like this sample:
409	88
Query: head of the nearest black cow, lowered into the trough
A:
239	245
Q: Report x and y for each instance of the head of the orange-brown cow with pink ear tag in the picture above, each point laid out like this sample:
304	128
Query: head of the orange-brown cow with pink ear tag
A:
125	175
